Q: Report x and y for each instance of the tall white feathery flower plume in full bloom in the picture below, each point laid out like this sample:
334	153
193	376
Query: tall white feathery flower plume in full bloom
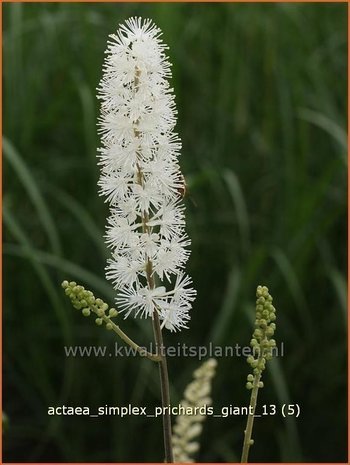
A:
141	178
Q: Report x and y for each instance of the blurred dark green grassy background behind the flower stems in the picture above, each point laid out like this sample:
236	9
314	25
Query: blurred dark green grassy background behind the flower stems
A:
261	94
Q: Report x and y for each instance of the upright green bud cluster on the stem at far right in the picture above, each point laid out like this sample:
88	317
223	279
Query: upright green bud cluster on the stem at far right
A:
262	341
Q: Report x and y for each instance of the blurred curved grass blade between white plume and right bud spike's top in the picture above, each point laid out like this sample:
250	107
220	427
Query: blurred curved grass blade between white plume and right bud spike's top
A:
235	190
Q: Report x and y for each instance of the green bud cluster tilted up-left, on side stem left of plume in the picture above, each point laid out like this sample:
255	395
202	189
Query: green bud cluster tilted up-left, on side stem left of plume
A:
85	301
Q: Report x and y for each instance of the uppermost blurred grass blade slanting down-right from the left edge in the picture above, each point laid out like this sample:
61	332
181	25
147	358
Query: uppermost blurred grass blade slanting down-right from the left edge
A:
17	163
